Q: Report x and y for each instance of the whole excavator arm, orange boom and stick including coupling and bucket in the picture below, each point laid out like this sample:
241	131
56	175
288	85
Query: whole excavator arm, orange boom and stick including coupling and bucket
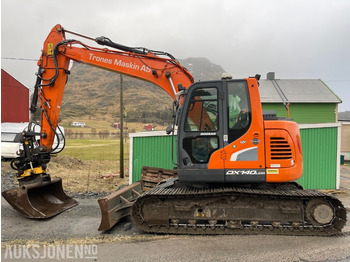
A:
38	196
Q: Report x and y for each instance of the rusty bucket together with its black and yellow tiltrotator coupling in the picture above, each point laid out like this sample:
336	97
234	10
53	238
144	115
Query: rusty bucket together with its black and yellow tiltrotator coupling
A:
38	196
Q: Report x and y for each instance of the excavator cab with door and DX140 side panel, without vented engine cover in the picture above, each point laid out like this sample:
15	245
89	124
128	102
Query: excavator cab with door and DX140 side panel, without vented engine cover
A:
218	132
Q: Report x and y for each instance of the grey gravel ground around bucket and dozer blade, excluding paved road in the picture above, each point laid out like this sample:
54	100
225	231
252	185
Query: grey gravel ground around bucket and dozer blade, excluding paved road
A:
83	220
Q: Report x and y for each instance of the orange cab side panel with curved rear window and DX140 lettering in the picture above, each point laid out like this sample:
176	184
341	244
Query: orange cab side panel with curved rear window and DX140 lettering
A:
244	132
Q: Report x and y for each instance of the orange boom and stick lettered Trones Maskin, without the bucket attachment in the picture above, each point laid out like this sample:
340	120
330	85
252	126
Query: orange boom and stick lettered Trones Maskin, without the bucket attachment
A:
165	72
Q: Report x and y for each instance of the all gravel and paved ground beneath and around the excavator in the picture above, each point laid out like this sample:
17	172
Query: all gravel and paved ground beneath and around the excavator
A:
124	242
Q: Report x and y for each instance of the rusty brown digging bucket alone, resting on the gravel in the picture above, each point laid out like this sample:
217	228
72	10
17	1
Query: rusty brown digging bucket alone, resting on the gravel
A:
40	200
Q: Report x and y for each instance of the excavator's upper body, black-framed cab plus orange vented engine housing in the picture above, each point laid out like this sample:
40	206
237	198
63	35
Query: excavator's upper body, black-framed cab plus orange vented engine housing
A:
224	137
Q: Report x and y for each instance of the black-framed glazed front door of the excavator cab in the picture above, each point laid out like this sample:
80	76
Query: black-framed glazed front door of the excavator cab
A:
200	133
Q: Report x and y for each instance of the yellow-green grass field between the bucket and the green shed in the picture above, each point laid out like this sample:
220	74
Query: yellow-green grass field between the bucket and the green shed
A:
90	165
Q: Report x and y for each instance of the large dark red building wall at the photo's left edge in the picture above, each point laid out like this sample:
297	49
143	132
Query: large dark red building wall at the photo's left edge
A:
14	100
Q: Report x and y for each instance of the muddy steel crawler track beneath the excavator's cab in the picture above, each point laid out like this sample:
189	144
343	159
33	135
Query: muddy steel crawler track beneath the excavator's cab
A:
232	210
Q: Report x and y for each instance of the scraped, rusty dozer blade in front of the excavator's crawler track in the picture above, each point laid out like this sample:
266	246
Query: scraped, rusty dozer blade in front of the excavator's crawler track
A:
118	205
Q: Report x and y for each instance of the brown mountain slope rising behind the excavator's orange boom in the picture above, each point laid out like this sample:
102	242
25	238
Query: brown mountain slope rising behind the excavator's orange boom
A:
94	93
